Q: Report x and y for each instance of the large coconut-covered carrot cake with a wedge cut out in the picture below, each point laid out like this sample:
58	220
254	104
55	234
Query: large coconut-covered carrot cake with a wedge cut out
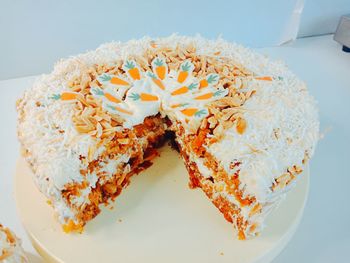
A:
244	125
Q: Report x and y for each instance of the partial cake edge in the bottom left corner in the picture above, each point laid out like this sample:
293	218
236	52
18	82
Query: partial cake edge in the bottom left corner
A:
11	250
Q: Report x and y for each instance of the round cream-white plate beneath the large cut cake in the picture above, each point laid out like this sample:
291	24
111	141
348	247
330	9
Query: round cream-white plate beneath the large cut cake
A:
157	218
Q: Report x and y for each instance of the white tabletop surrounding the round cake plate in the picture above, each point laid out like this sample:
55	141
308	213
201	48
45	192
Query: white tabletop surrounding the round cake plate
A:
324	233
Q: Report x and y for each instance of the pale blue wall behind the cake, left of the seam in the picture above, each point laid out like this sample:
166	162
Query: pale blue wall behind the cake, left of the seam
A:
35	34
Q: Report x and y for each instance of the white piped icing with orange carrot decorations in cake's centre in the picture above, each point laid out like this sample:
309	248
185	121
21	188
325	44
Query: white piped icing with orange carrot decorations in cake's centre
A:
143	94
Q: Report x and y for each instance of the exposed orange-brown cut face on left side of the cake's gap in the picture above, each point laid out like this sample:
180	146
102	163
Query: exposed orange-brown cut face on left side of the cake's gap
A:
114	171
